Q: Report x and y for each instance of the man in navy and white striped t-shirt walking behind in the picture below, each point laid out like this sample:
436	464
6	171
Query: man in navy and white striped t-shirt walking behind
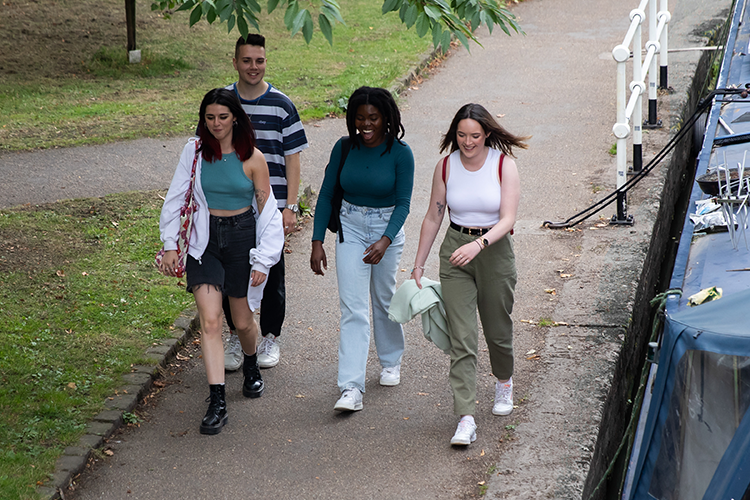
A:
281	138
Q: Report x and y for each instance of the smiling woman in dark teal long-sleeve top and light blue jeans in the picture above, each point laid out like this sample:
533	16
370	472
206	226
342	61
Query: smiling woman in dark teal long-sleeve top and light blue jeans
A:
377	179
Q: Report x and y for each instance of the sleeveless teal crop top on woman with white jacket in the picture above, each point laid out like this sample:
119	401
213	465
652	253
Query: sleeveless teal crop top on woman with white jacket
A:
225	184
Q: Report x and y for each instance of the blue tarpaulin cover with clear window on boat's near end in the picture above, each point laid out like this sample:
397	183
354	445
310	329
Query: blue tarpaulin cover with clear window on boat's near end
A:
696	442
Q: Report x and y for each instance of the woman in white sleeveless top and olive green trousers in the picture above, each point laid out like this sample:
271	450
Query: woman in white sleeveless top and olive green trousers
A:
478	183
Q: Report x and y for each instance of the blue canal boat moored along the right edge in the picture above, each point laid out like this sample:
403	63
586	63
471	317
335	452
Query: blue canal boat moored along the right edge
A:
693	436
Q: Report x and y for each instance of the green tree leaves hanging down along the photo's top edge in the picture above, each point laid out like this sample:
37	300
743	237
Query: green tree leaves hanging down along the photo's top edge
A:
443	19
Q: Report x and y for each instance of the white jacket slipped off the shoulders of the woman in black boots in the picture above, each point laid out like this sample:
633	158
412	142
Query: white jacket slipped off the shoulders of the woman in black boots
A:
269	232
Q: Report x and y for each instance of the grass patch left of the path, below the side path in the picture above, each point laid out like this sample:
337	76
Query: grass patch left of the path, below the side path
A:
81	302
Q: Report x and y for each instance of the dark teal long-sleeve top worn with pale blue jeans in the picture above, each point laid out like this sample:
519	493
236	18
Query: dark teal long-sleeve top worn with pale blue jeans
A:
369	179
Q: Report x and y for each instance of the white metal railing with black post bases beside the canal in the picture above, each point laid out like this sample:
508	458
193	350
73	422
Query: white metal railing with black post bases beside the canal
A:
630	108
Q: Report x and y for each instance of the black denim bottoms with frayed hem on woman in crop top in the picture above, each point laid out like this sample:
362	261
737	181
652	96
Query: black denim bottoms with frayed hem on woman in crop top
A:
226	262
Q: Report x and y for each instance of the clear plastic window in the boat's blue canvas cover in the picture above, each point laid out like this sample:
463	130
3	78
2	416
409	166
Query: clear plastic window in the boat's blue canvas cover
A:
711	395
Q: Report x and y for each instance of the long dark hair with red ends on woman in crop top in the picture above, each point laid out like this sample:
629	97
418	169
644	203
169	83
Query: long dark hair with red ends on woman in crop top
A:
243	134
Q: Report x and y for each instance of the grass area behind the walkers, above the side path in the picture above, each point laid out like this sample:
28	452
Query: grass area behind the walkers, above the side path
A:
66	81
